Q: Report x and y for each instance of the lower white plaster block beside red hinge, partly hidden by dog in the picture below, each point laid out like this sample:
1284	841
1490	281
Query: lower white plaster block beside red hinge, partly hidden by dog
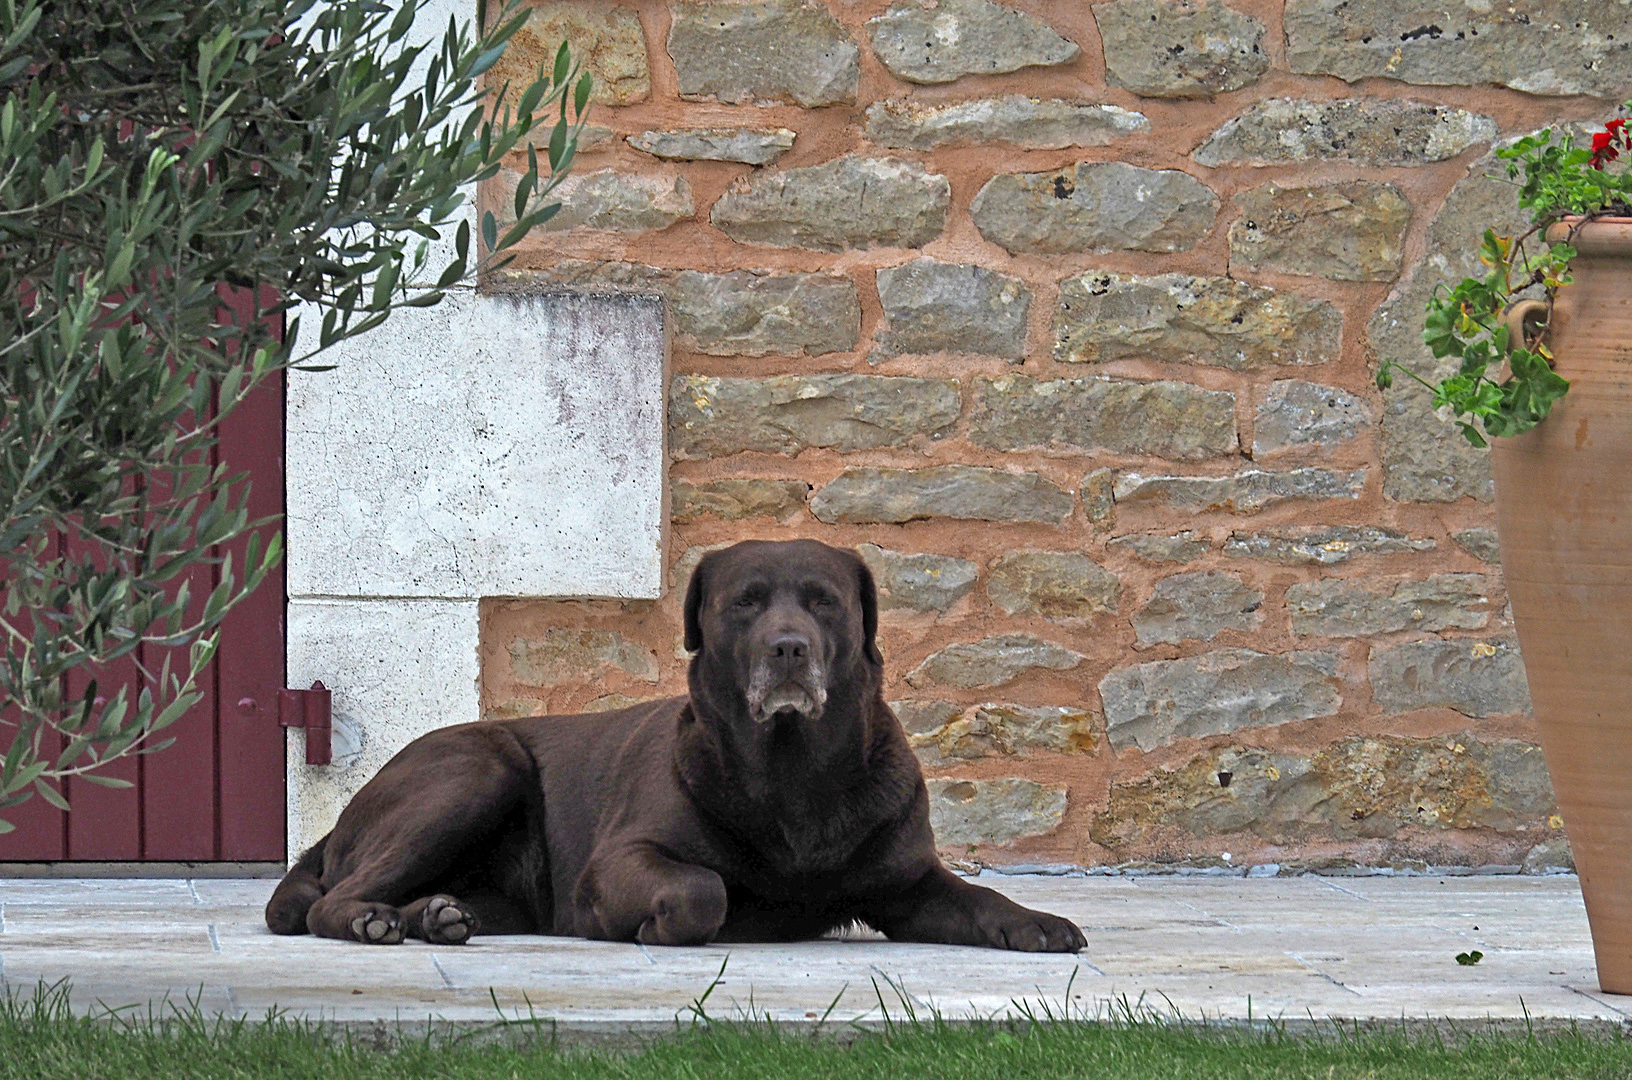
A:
397	670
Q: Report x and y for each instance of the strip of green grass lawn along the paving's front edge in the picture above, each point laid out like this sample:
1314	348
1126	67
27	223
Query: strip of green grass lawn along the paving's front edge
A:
42	1040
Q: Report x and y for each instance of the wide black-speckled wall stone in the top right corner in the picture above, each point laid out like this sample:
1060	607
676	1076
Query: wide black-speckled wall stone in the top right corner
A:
1538	46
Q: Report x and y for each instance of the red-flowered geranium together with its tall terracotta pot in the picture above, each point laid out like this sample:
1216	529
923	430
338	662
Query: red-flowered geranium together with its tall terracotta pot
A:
1545	342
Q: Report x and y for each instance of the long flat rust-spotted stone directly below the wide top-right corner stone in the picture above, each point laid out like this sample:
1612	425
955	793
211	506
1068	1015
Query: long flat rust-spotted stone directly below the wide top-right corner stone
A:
1367	131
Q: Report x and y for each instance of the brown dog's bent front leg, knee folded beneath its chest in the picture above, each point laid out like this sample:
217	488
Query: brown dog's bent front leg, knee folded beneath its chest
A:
641	895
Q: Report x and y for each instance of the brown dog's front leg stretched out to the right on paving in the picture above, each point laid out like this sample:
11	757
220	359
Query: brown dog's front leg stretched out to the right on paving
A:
946	910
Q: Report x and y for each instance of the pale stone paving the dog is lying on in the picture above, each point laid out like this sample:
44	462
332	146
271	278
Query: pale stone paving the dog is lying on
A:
1293	949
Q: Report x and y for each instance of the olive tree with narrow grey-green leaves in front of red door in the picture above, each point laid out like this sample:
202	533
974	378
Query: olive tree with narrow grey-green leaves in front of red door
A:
153	156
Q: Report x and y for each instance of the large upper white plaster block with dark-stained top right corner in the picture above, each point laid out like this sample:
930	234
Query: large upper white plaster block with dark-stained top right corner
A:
489	446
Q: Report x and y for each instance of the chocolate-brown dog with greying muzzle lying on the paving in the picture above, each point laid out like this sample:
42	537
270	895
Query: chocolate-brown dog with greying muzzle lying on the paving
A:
776	803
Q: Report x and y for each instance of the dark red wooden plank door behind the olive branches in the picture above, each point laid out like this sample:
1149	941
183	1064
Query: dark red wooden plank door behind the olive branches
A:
218	794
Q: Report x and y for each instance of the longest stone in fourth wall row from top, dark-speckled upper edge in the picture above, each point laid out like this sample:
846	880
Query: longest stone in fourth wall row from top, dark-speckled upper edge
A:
1181	319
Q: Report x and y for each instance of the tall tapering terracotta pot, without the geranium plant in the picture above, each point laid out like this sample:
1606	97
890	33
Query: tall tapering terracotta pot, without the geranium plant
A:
1564	515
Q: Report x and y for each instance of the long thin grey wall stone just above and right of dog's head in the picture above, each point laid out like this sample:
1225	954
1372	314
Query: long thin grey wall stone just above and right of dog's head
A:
861	497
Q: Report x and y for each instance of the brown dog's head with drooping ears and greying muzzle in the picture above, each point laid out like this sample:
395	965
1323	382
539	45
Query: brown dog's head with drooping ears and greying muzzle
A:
781	629
